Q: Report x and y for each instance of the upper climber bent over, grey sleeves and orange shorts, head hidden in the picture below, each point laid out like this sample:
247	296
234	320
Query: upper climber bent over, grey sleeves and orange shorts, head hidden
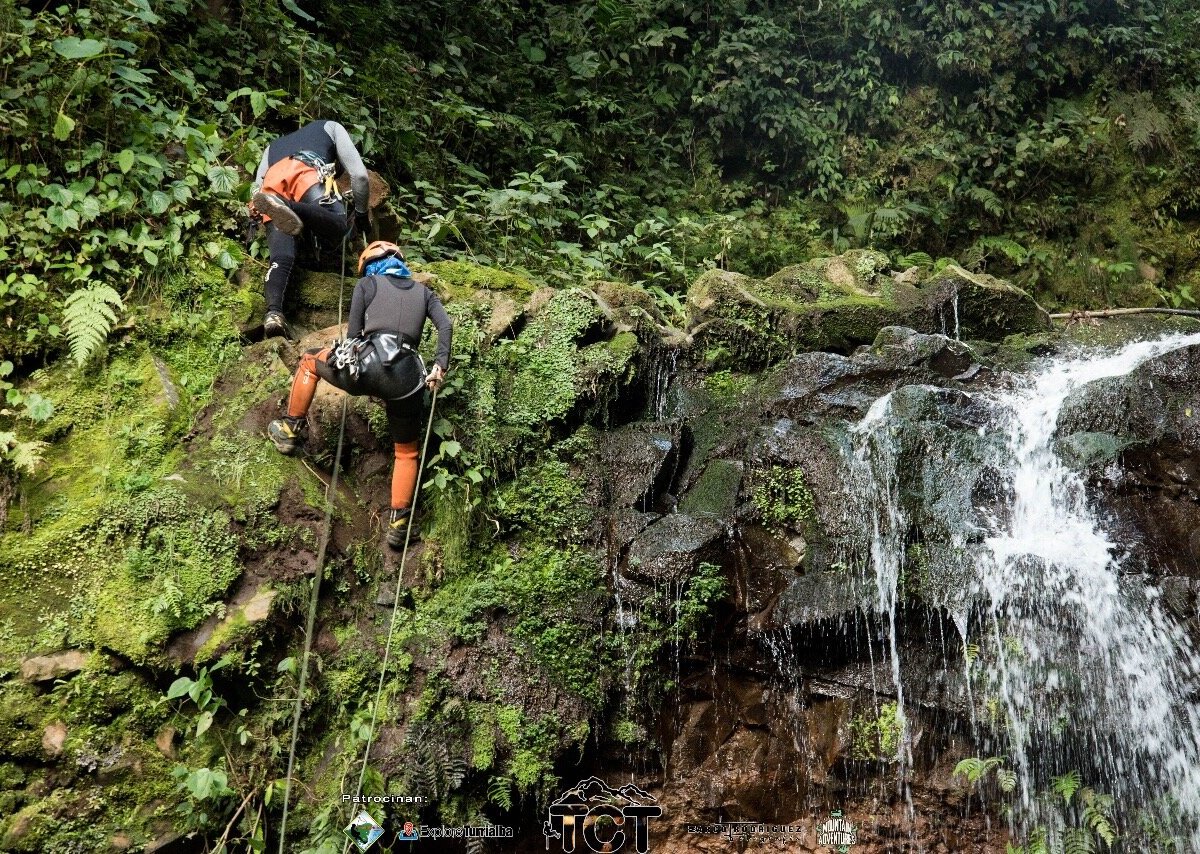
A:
295	190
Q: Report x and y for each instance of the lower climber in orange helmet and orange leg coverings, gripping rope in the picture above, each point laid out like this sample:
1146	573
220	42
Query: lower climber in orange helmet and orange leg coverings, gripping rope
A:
388	315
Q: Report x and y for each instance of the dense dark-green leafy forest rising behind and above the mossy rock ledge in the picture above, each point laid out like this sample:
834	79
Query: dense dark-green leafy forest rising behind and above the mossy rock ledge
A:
1049	142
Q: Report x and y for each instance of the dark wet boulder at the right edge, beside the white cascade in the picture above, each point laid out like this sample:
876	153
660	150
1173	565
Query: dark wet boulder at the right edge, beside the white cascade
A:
1149	423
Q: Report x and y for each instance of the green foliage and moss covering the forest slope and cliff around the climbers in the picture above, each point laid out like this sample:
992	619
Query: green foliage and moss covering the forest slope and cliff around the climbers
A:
571	143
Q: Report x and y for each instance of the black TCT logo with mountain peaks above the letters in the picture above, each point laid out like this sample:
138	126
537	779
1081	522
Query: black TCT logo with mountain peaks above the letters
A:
598	816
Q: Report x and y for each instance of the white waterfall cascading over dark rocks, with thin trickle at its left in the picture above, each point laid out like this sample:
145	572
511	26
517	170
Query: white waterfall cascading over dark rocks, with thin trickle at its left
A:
1079	665
